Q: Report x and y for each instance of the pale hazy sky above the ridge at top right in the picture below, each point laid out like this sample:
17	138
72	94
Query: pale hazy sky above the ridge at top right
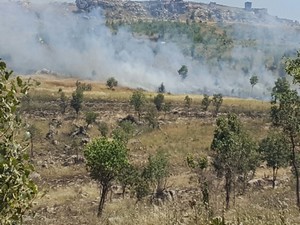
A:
288	9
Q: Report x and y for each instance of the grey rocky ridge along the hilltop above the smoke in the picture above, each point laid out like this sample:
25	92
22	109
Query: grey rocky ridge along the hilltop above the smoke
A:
178	10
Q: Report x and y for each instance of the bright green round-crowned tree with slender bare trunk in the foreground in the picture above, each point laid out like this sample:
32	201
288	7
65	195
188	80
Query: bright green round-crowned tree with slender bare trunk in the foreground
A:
105	161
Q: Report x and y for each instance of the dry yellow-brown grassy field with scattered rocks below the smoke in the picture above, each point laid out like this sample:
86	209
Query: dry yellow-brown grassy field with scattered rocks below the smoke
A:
69	196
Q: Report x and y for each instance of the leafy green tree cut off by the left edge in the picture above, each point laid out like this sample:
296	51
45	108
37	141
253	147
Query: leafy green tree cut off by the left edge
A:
17	190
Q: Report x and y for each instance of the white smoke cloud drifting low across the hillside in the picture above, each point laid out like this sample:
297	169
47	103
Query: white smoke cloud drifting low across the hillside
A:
51	36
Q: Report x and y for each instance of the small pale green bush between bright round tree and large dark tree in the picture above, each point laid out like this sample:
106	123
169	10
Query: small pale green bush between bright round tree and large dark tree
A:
157	170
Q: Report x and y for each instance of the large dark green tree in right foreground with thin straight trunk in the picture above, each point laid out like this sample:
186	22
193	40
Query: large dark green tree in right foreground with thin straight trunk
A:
231	151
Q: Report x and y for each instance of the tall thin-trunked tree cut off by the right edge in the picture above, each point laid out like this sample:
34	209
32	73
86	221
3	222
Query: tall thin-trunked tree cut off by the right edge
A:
285	113
